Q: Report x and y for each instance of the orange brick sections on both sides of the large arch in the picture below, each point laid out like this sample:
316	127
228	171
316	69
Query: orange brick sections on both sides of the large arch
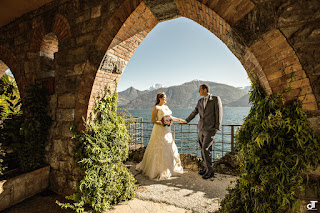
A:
270	58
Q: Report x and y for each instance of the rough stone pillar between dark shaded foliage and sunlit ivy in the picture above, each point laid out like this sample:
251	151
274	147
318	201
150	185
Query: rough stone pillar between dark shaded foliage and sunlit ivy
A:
60	147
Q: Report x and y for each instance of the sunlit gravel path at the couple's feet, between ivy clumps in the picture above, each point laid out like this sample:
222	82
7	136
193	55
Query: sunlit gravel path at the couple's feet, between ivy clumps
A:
189	191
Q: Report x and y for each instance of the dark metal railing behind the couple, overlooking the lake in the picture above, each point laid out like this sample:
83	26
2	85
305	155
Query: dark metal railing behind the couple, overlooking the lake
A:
185	137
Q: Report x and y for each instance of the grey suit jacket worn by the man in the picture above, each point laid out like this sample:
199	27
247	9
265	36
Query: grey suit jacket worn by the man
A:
211	116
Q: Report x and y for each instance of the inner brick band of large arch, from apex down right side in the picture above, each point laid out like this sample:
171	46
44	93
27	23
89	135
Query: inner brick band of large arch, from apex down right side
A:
218	18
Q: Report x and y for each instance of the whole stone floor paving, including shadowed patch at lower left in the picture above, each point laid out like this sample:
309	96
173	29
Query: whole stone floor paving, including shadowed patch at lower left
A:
187	193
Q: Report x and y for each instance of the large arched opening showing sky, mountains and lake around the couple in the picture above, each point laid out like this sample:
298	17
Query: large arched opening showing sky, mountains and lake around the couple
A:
179	55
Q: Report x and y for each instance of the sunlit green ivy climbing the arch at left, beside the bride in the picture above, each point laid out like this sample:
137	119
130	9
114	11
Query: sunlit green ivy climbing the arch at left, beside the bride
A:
102	150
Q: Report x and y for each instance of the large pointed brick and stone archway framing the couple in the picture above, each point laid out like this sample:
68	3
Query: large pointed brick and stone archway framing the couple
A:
270	55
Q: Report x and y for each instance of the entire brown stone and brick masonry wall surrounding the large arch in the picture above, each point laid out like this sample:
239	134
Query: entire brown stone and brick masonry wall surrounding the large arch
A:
77	47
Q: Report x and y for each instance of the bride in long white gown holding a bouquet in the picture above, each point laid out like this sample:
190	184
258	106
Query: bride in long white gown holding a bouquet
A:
161	159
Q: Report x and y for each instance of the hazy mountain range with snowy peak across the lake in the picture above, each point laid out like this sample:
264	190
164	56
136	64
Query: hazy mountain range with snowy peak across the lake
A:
183	96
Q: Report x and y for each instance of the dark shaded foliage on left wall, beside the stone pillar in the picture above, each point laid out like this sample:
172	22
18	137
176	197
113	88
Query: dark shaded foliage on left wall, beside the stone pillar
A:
27	134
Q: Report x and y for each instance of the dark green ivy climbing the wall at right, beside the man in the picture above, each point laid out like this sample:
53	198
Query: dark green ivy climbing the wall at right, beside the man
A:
276	147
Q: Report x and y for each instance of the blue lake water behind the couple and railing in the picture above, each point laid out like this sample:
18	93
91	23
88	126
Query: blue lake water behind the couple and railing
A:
186	141
